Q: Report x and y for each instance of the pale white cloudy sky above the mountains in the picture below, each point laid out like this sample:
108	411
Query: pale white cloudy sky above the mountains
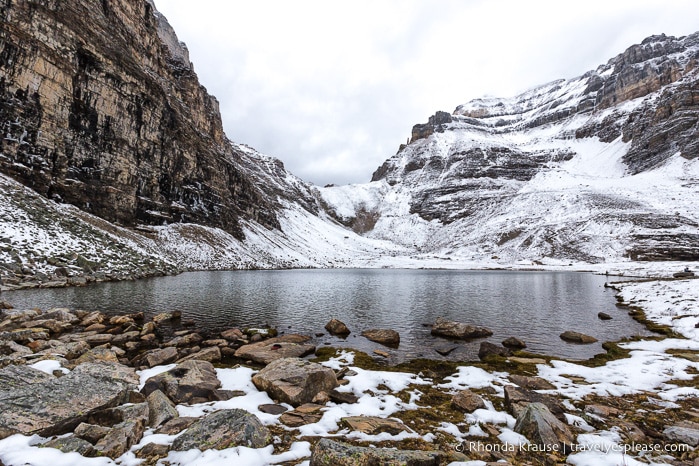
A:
332	88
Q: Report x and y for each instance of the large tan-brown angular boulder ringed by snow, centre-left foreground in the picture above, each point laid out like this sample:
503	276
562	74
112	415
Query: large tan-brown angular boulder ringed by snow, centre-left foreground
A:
295	381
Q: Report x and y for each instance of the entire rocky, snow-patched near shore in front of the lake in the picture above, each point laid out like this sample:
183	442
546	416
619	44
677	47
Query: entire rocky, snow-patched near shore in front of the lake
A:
636	403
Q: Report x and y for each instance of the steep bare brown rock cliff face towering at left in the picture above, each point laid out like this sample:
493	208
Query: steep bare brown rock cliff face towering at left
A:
101	108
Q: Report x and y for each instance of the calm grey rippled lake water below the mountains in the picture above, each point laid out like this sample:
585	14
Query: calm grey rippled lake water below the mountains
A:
533	306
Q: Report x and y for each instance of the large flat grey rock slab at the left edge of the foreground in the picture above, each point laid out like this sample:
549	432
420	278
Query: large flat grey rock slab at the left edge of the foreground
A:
57	405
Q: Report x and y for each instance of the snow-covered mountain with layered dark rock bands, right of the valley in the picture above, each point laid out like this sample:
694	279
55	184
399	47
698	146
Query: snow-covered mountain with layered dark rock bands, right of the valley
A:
602	167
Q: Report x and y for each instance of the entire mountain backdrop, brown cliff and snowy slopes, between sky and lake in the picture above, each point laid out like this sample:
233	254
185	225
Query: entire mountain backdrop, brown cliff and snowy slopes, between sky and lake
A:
114	165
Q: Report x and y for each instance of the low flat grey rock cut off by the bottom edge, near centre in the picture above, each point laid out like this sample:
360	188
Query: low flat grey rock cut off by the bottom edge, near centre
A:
332	453
